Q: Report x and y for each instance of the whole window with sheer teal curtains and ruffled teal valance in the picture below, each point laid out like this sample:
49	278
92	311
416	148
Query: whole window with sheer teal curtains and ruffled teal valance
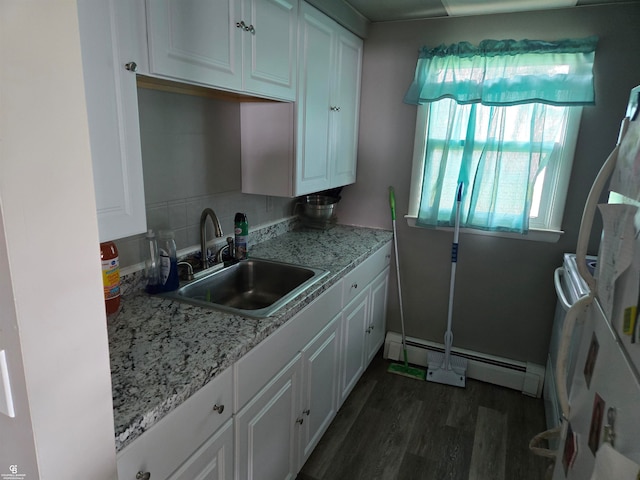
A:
500	119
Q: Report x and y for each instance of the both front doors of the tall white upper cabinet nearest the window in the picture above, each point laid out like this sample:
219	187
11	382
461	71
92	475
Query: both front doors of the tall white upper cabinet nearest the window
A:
328	103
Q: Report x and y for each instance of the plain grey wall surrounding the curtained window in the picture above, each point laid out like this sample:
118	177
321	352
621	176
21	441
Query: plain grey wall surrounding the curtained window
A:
505	299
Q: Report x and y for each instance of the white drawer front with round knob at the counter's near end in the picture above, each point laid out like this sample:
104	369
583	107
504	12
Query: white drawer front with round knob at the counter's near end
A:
166	445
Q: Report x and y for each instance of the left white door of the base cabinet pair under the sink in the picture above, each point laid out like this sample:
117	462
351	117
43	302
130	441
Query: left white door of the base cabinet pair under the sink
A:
267	428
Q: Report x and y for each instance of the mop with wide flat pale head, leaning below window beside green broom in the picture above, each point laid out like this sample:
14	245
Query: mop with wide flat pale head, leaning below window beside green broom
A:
446	368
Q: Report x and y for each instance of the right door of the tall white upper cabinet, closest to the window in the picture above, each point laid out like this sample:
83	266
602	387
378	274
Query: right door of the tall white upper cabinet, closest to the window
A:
346	108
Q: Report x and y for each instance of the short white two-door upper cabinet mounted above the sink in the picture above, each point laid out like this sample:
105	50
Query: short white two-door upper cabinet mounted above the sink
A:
245	46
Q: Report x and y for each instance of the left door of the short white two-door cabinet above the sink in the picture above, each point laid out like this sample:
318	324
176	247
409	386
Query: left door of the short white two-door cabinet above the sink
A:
196	41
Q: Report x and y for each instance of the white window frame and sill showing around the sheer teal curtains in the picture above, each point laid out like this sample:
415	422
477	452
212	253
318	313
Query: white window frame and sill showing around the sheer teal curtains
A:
554	192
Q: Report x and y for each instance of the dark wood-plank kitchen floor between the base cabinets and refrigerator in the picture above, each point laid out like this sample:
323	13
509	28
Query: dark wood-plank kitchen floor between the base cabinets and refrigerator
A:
393	427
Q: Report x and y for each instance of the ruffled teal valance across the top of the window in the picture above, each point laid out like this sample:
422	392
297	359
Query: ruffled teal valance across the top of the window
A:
506	72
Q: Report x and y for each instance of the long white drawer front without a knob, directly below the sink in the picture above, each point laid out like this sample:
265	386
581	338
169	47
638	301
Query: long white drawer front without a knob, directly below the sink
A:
256	368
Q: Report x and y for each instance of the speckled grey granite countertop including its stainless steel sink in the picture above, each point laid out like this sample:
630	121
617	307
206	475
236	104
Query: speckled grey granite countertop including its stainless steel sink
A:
165	348
